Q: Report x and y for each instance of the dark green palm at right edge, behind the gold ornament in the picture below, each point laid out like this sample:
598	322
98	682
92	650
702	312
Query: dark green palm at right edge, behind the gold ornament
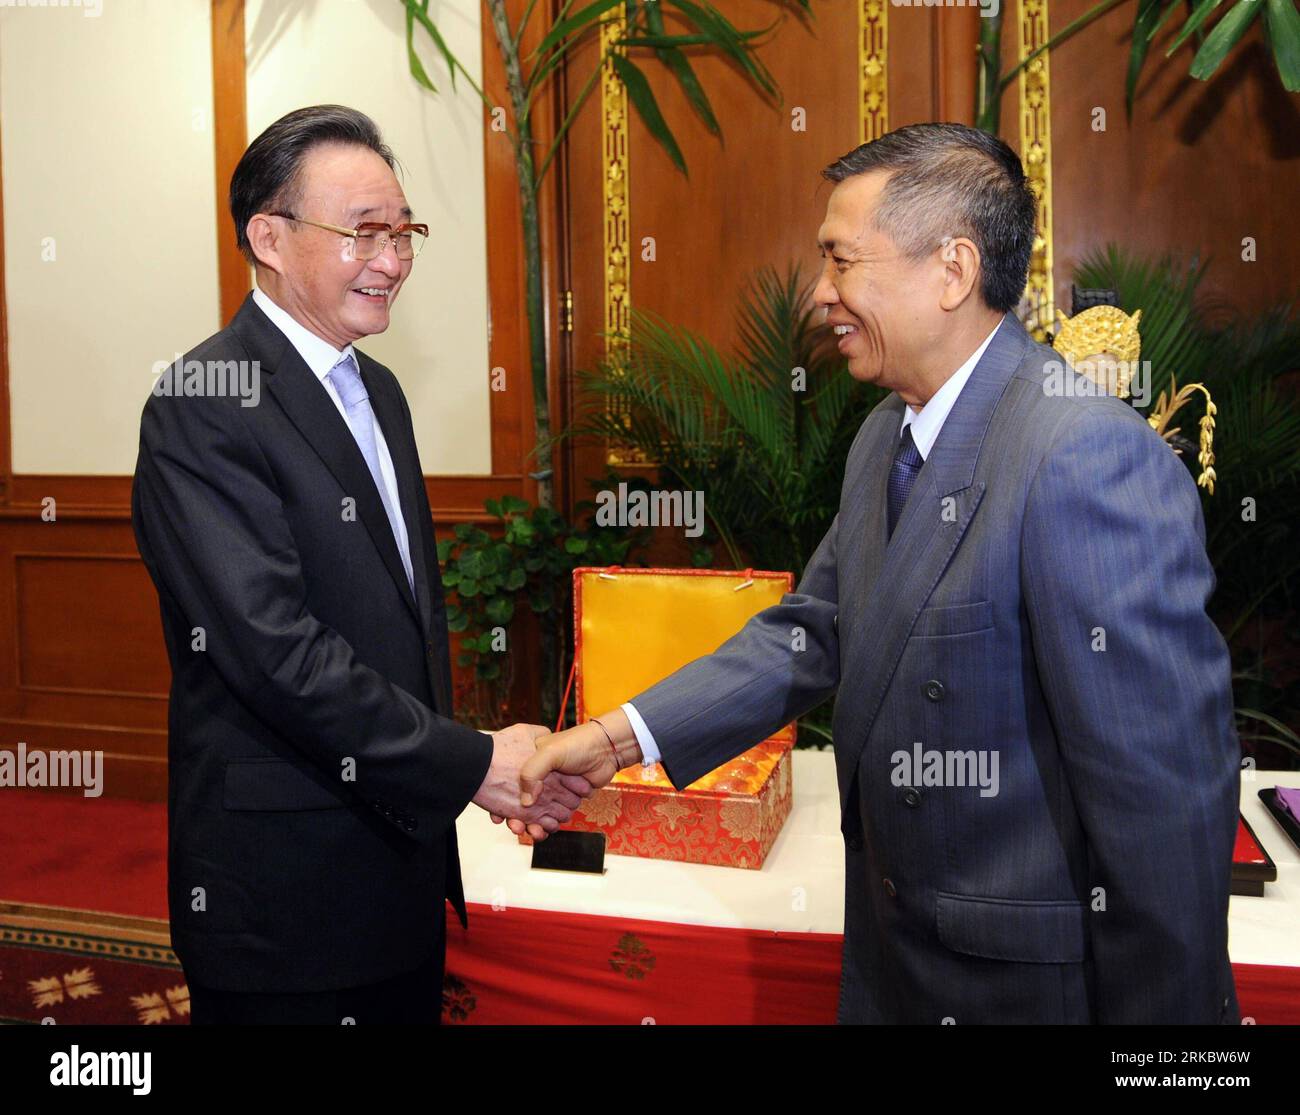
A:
1250	520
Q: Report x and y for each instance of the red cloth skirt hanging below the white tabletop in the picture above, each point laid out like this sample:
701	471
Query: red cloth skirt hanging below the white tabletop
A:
540	968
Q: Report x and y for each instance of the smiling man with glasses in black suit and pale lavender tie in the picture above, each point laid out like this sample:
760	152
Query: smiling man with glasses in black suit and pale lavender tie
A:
315	771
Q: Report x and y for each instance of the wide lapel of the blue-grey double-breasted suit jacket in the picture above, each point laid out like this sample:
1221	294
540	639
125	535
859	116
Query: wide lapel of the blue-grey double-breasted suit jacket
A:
891	582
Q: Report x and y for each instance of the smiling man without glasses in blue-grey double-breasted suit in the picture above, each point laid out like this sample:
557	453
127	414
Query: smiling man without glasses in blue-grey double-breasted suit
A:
1034	731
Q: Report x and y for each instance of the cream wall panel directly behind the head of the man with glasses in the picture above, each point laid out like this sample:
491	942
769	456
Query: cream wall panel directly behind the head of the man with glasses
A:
353	53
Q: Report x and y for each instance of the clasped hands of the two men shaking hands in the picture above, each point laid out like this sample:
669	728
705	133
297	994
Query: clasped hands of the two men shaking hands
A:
536	780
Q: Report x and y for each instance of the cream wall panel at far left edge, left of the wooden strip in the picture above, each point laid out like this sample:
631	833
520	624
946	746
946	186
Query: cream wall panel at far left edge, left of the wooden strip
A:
106	132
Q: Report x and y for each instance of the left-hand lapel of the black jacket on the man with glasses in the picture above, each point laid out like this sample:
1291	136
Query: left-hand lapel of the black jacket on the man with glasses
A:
310	409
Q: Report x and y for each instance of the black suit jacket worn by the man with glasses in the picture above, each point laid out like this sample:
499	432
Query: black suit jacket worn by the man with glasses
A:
315	775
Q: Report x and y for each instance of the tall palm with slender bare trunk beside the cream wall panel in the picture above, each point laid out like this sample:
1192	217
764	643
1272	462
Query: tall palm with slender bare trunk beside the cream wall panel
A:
640	31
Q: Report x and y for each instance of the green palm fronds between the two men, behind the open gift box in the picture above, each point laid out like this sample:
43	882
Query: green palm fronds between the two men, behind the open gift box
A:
764	432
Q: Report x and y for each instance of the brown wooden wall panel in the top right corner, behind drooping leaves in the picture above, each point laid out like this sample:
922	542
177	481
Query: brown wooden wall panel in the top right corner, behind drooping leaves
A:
1201	167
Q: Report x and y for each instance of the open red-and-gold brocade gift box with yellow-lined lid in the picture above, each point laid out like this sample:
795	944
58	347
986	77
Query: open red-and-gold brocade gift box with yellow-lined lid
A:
634	628
